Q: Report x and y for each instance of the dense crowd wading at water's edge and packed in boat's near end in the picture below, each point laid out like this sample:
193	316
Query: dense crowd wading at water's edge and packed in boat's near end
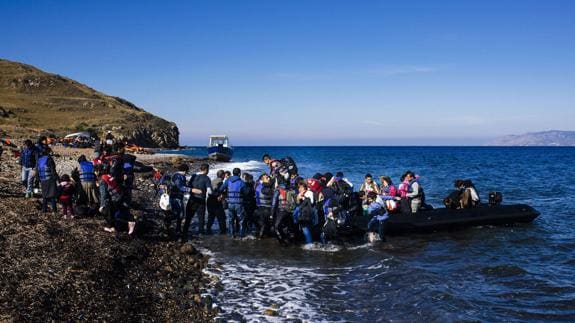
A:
281	203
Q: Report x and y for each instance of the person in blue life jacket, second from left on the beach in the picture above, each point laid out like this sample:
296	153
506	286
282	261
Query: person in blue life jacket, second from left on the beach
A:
48	180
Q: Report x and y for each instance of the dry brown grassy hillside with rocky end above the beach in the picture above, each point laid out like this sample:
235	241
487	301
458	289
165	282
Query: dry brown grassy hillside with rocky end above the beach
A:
33	102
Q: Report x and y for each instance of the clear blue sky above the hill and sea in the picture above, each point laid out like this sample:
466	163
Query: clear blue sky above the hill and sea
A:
315	72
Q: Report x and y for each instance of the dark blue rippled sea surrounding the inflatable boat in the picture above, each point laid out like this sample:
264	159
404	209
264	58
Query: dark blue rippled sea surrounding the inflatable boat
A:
519	273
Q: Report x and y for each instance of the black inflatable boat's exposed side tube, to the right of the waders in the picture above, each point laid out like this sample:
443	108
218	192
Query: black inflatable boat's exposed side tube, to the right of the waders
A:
448	219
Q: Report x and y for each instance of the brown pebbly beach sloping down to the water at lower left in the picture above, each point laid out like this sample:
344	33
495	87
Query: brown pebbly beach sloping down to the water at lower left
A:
69	270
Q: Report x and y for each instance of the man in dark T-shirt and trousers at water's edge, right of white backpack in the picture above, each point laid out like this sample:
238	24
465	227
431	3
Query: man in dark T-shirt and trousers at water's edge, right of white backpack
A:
200	186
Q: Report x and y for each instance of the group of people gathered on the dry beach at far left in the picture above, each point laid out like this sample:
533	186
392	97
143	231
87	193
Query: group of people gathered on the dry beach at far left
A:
102	184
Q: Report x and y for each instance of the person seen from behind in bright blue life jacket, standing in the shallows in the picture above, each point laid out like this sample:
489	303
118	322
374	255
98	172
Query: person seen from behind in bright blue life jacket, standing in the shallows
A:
233	186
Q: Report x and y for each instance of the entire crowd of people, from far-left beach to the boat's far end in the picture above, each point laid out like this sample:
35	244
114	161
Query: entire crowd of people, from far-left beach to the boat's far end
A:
278	203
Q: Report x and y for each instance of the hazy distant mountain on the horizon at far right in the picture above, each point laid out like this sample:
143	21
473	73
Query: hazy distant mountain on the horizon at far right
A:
544	138
